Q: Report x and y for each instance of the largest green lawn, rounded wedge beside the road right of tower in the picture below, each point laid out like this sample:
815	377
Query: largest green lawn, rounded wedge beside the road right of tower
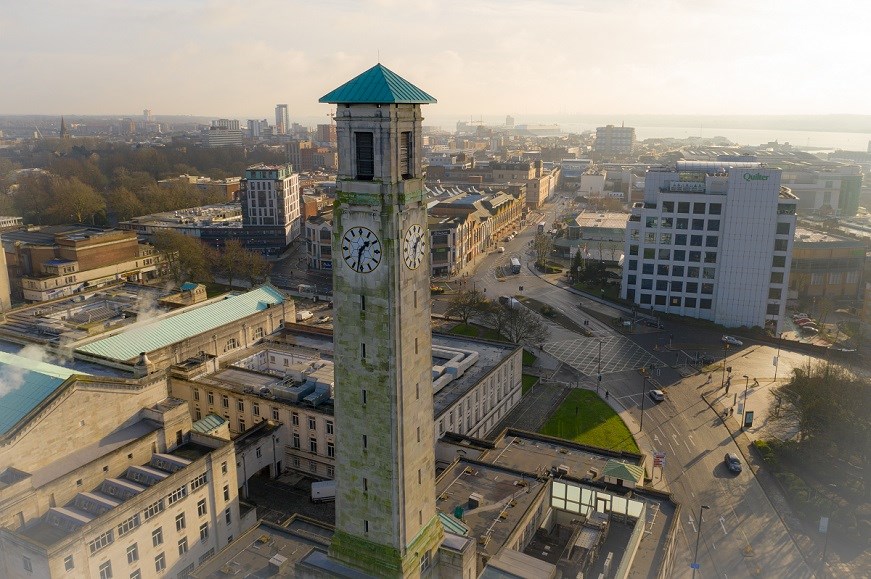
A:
585	418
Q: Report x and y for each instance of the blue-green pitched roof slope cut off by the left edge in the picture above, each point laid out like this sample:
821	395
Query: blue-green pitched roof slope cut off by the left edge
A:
24	384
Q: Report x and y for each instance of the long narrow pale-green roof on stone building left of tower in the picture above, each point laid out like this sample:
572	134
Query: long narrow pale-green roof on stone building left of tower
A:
152	336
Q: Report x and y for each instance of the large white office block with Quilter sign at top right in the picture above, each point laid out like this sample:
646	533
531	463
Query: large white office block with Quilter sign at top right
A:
712	240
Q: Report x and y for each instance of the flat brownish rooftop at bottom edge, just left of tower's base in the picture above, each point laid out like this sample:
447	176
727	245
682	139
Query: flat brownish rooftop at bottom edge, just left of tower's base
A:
251	553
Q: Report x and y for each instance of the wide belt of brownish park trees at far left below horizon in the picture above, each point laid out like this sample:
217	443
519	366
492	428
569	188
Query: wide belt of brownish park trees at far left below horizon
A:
101	183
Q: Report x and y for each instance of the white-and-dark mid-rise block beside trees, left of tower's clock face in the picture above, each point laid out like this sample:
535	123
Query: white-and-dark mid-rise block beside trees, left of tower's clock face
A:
270	207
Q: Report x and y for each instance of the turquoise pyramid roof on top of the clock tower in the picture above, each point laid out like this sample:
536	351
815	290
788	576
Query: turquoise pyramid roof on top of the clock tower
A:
377	86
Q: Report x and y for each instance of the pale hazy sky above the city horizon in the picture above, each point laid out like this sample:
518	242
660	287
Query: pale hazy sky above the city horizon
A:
237	59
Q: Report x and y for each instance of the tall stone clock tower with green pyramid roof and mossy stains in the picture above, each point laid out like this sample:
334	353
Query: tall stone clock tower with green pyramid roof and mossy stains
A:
386	520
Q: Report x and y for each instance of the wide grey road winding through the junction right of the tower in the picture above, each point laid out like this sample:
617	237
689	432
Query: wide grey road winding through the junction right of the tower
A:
742	535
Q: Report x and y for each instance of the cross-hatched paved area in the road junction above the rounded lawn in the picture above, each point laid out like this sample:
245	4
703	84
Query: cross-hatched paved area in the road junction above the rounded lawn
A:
618	354
